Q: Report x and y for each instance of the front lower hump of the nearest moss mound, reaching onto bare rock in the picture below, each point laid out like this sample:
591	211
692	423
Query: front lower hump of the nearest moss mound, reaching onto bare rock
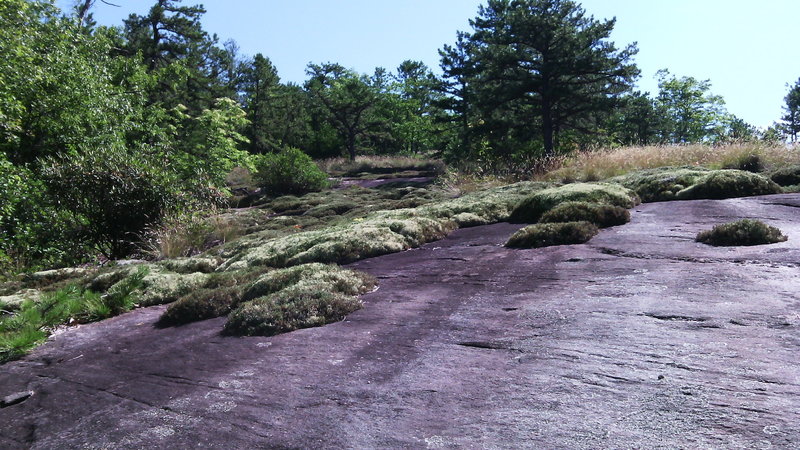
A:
299	306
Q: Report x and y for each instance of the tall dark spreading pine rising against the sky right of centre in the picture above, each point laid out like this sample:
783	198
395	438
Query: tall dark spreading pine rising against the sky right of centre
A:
543	62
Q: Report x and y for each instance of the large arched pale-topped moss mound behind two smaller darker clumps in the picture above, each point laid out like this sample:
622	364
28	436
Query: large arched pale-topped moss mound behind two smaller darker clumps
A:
533	207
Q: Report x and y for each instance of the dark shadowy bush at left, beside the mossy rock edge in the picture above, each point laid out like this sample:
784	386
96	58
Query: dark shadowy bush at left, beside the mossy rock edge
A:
115	198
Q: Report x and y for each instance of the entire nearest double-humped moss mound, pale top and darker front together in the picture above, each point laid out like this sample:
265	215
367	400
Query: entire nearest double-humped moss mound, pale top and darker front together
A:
298	297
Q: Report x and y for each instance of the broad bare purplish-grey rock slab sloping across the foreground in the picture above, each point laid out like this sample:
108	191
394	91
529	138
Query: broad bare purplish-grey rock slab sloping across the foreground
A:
640	339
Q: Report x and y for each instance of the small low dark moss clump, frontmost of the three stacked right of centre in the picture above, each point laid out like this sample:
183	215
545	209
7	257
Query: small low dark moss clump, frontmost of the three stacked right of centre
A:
549	234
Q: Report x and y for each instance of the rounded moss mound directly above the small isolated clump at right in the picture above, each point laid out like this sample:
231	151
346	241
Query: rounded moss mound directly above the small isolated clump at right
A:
729	184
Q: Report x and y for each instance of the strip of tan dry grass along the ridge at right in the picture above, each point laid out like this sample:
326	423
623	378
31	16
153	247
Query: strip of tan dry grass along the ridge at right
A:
603	164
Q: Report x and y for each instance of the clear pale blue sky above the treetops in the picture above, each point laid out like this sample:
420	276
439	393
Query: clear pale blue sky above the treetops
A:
746	48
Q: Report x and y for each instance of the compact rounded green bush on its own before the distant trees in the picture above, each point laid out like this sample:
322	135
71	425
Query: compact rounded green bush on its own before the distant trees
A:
289	172
